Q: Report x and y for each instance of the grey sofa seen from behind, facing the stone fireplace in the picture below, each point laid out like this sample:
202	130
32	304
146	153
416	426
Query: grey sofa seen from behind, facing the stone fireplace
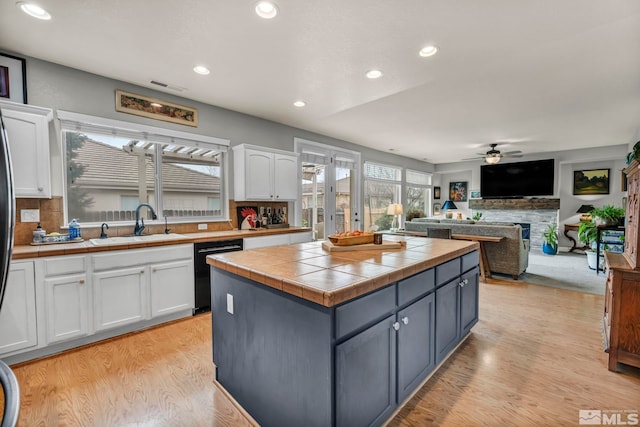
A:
509	256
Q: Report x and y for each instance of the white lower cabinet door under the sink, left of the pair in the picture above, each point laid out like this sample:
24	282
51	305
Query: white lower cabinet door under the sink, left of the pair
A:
119	297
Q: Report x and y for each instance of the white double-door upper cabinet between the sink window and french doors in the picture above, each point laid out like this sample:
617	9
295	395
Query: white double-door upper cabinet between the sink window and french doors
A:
264	174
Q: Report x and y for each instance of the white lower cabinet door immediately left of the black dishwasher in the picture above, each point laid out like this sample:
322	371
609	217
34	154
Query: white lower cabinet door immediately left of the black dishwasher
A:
172	287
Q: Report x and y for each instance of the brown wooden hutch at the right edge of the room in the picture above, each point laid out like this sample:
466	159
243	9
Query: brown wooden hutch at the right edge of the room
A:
621	320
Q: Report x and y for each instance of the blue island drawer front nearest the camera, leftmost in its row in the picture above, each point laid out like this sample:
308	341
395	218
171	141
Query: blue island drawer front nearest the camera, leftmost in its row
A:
358	313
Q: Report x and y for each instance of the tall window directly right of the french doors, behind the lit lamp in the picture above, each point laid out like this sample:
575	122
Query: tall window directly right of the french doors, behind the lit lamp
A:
382	187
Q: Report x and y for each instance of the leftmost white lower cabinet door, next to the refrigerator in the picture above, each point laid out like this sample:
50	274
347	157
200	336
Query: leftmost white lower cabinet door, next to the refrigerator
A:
18	328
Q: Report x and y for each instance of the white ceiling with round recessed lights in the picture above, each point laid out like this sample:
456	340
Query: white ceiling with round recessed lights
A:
540	75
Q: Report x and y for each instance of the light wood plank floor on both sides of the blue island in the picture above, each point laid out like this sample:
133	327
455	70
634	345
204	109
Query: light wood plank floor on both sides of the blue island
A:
534	359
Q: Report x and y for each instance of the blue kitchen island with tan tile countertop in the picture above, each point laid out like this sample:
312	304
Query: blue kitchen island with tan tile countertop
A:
304	336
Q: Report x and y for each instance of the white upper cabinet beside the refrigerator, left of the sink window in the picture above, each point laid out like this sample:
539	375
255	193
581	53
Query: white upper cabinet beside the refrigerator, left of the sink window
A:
28	132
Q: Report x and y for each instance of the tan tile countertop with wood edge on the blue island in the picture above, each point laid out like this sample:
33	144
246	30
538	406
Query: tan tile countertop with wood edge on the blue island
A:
312	273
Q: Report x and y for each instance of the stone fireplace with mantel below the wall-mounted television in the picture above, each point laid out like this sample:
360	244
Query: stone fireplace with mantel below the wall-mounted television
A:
539	213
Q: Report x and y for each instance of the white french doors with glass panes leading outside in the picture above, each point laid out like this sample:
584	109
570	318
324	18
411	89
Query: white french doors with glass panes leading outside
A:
330	178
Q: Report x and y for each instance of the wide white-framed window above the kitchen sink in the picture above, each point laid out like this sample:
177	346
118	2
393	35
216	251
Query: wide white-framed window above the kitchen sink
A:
111	167
